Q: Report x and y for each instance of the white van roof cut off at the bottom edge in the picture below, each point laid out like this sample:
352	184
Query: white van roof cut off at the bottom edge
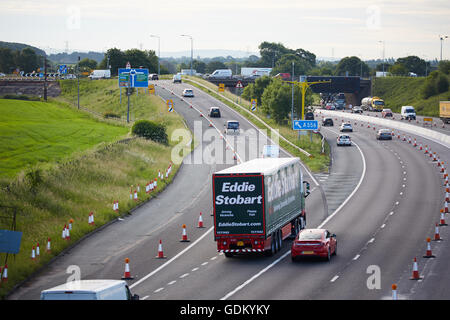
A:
90	290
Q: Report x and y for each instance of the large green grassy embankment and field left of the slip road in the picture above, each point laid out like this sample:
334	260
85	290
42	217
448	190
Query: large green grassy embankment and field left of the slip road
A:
58	164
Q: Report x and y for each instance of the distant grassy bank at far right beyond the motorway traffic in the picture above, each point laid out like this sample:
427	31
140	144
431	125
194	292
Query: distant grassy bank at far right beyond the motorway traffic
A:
407	91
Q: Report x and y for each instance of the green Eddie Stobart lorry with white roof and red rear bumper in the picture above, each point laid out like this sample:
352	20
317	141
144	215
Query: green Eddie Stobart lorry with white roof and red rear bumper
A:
257	204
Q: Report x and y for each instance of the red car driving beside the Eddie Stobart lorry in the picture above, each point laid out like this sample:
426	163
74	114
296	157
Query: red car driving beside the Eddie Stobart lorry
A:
314	242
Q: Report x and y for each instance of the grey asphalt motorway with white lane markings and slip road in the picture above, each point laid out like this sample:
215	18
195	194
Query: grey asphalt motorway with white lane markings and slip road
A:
382	199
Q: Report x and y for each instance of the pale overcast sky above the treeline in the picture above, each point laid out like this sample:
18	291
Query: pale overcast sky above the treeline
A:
327	28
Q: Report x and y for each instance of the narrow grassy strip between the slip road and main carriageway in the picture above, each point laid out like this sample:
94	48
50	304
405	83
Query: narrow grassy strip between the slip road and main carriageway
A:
317	163
